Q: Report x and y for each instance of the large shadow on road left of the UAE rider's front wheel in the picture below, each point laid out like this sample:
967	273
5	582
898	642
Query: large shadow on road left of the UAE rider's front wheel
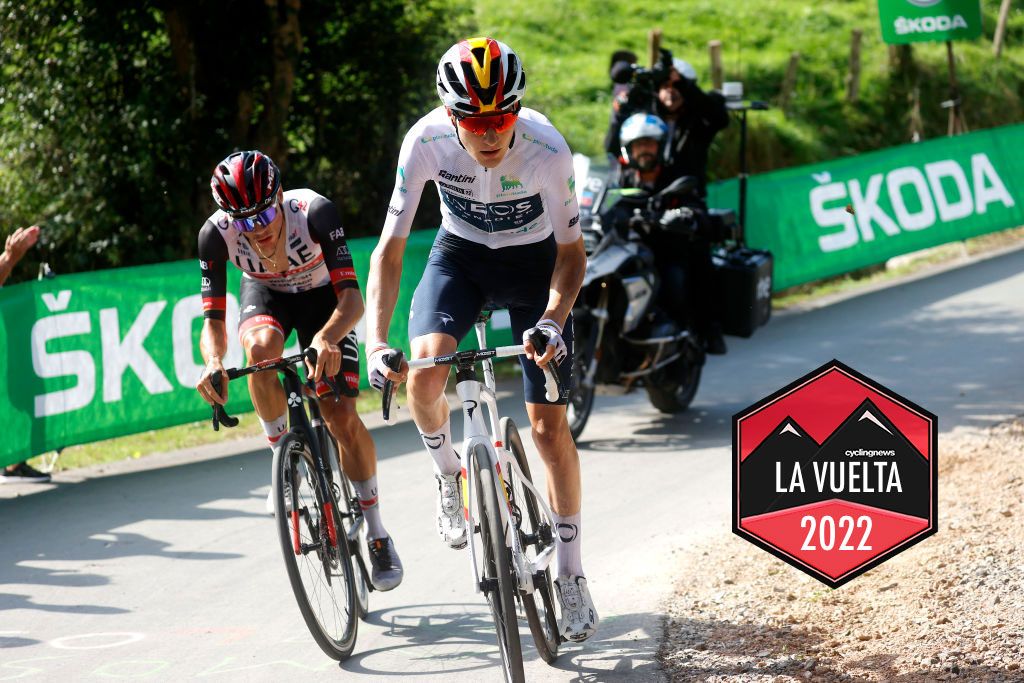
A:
69	549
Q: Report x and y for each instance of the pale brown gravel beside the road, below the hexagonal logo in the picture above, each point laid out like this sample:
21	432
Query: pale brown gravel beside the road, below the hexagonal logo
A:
949	609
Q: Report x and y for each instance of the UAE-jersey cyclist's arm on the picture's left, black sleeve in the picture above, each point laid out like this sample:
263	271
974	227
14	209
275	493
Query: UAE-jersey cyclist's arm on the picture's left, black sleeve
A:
214	338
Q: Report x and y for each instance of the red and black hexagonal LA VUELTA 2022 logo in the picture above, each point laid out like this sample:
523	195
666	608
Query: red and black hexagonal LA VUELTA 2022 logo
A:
835	474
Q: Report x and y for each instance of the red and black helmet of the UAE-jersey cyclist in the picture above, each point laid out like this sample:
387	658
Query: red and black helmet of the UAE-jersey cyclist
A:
245	183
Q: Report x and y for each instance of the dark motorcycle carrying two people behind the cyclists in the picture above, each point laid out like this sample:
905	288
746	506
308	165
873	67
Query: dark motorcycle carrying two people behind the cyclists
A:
623	339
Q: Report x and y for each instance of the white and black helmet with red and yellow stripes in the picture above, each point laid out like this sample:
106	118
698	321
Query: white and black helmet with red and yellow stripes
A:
481	75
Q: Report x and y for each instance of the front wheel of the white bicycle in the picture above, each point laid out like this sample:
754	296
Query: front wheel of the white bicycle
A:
497	566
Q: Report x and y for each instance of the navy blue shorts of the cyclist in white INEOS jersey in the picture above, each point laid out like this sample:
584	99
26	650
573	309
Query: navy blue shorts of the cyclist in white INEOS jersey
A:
463	278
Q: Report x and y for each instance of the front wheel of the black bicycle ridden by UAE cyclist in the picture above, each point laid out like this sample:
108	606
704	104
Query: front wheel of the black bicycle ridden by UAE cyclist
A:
328	569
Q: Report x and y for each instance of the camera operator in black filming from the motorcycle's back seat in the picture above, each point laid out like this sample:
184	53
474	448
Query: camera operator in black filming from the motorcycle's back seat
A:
671	92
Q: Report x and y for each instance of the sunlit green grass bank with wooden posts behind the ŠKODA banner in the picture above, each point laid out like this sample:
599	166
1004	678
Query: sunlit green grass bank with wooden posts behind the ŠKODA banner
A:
566	48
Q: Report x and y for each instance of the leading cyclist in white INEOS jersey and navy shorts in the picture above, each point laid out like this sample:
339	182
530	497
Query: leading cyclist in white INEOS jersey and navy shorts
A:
509	239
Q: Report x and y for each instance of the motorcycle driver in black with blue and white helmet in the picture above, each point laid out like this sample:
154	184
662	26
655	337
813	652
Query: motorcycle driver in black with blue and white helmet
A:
681	243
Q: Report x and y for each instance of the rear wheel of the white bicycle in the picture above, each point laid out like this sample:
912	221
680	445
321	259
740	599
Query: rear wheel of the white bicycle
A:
538	606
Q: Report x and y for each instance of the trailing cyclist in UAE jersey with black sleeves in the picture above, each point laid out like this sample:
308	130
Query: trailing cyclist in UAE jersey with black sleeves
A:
297	275
